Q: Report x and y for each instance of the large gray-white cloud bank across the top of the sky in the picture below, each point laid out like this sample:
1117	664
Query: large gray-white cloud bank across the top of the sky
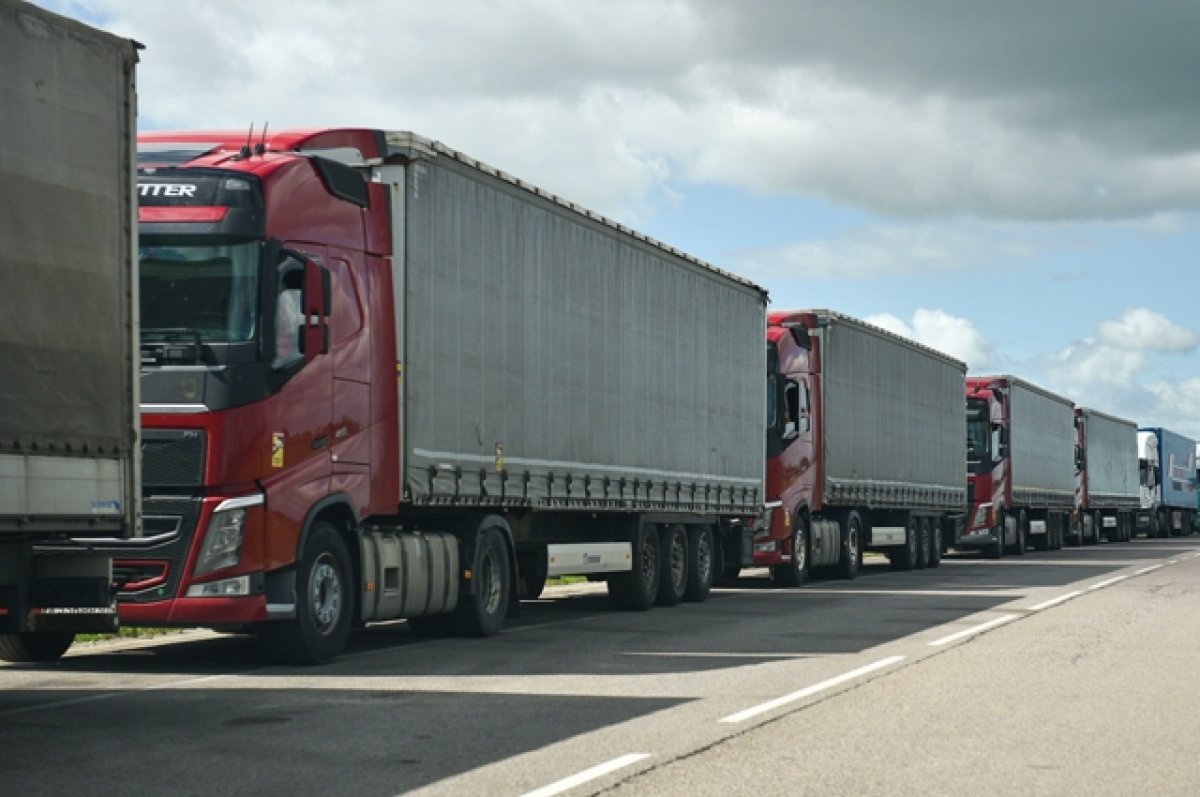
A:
895	110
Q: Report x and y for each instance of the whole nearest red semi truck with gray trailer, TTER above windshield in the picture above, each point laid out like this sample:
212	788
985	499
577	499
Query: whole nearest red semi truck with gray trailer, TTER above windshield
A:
382	380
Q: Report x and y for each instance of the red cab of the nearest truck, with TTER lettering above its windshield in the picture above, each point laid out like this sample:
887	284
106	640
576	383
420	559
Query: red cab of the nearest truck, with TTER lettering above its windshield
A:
259	403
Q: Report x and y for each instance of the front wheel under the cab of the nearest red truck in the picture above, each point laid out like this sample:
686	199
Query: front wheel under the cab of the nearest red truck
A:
325	603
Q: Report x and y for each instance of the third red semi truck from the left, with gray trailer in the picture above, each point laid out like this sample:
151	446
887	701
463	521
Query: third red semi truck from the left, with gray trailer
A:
1022	471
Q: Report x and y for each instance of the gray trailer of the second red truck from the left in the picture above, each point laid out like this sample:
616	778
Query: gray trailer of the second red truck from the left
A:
893	436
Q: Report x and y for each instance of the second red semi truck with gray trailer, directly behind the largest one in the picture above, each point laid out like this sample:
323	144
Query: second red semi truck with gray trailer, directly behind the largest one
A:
865	447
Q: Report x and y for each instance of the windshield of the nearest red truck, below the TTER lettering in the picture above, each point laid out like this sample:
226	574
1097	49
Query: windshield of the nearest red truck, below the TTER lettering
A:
206	290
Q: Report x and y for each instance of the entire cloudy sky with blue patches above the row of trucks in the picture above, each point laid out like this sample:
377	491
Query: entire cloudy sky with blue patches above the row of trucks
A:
1015	183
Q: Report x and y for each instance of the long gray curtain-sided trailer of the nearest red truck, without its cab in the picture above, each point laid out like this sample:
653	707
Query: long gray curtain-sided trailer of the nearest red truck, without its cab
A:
603	392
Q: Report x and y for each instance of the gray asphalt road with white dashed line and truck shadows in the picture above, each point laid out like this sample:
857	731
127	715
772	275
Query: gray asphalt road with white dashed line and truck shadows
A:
1065	673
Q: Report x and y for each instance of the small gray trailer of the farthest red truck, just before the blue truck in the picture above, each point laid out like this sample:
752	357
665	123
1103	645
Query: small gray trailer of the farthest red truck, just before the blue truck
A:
1107	488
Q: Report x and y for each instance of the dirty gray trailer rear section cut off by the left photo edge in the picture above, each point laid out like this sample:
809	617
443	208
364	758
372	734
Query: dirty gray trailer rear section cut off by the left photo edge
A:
69	402
